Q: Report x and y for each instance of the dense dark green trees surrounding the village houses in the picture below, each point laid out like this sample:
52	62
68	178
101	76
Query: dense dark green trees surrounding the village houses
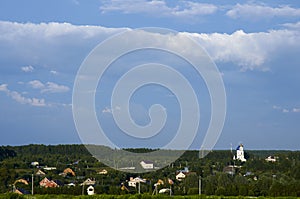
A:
255	177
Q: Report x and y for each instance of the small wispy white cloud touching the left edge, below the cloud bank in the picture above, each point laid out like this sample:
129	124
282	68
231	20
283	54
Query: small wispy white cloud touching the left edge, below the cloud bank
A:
21	99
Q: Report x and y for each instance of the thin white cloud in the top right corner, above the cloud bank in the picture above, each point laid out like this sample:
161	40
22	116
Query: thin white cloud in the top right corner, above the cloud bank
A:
252	11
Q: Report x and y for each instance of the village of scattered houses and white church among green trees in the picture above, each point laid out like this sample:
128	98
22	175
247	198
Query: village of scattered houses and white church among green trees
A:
220	173
